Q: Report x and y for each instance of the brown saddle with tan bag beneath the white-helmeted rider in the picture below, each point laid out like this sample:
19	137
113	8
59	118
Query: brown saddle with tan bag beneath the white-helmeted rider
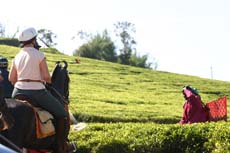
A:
43	119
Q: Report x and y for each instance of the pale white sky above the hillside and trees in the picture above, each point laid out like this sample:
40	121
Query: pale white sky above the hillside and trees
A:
189	37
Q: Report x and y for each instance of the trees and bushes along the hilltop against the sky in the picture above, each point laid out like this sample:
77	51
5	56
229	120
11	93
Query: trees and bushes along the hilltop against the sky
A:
102	47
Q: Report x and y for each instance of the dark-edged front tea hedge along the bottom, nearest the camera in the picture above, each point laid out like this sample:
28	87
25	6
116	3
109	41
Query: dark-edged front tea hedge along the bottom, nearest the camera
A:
153	138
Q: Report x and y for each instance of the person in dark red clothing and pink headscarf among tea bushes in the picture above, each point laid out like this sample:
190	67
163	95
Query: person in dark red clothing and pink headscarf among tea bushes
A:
194	110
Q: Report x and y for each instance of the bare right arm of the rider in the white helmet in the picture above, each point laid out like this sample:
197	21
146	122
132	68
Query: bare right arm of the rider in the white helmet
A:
44	71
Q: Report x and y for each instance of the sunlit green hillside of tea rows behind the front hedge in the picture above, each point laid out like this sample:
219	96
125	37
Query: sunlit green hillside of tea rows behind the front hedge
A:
107	92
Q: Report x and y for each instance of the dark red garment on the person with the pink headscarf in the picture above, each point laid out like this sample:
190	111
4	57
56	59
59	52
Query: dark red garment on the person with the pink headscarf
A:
194	111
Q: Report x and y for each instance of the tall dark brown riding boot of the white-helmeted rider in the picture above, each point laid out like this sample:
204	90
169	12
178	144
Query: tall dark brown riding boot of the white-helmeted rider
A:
61	135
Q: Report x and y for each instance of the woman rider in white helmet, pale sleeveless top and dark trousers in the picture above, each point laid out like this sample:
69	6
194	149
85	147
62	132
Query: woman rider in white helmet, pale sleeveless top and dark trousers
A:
28	73
